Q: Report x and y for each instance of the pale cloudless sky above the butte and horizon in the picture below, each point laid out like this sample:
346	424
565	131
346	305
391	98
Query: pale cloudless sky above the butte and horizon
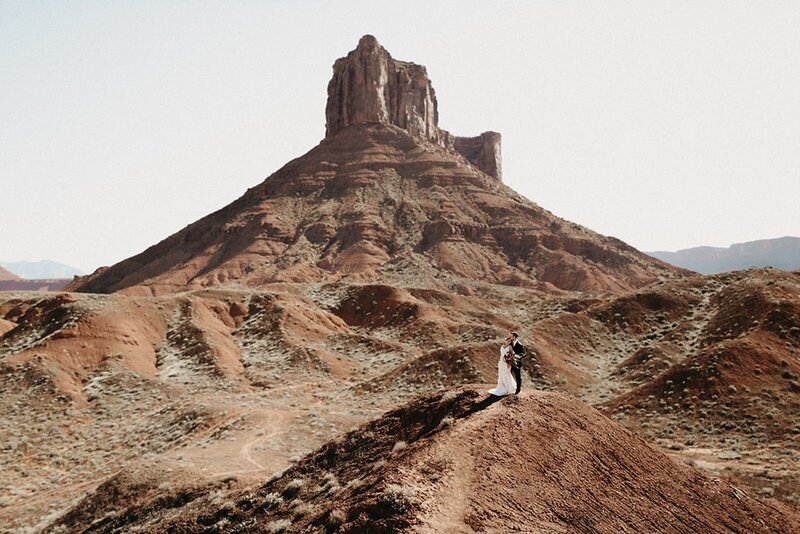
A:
666	124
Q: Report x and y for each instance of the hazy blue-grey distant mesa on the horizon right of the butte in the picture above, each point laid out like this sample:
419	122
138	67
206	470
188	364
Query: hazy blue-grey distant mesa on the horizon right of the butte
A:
781	253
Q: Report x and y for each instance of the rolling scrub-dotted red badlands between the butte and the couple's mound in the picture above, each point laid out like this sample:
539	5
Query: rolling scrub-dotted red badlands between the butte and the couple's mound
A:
236	383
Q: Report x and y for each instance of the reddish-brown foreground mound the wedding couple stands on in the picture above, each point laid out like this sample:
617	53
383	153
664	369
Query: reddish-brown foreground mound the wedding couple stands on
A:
455	463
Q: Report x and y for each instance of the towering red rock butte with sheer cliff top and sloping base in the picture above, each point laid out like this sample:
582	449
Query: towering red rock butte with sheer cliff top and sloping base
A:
386	197
